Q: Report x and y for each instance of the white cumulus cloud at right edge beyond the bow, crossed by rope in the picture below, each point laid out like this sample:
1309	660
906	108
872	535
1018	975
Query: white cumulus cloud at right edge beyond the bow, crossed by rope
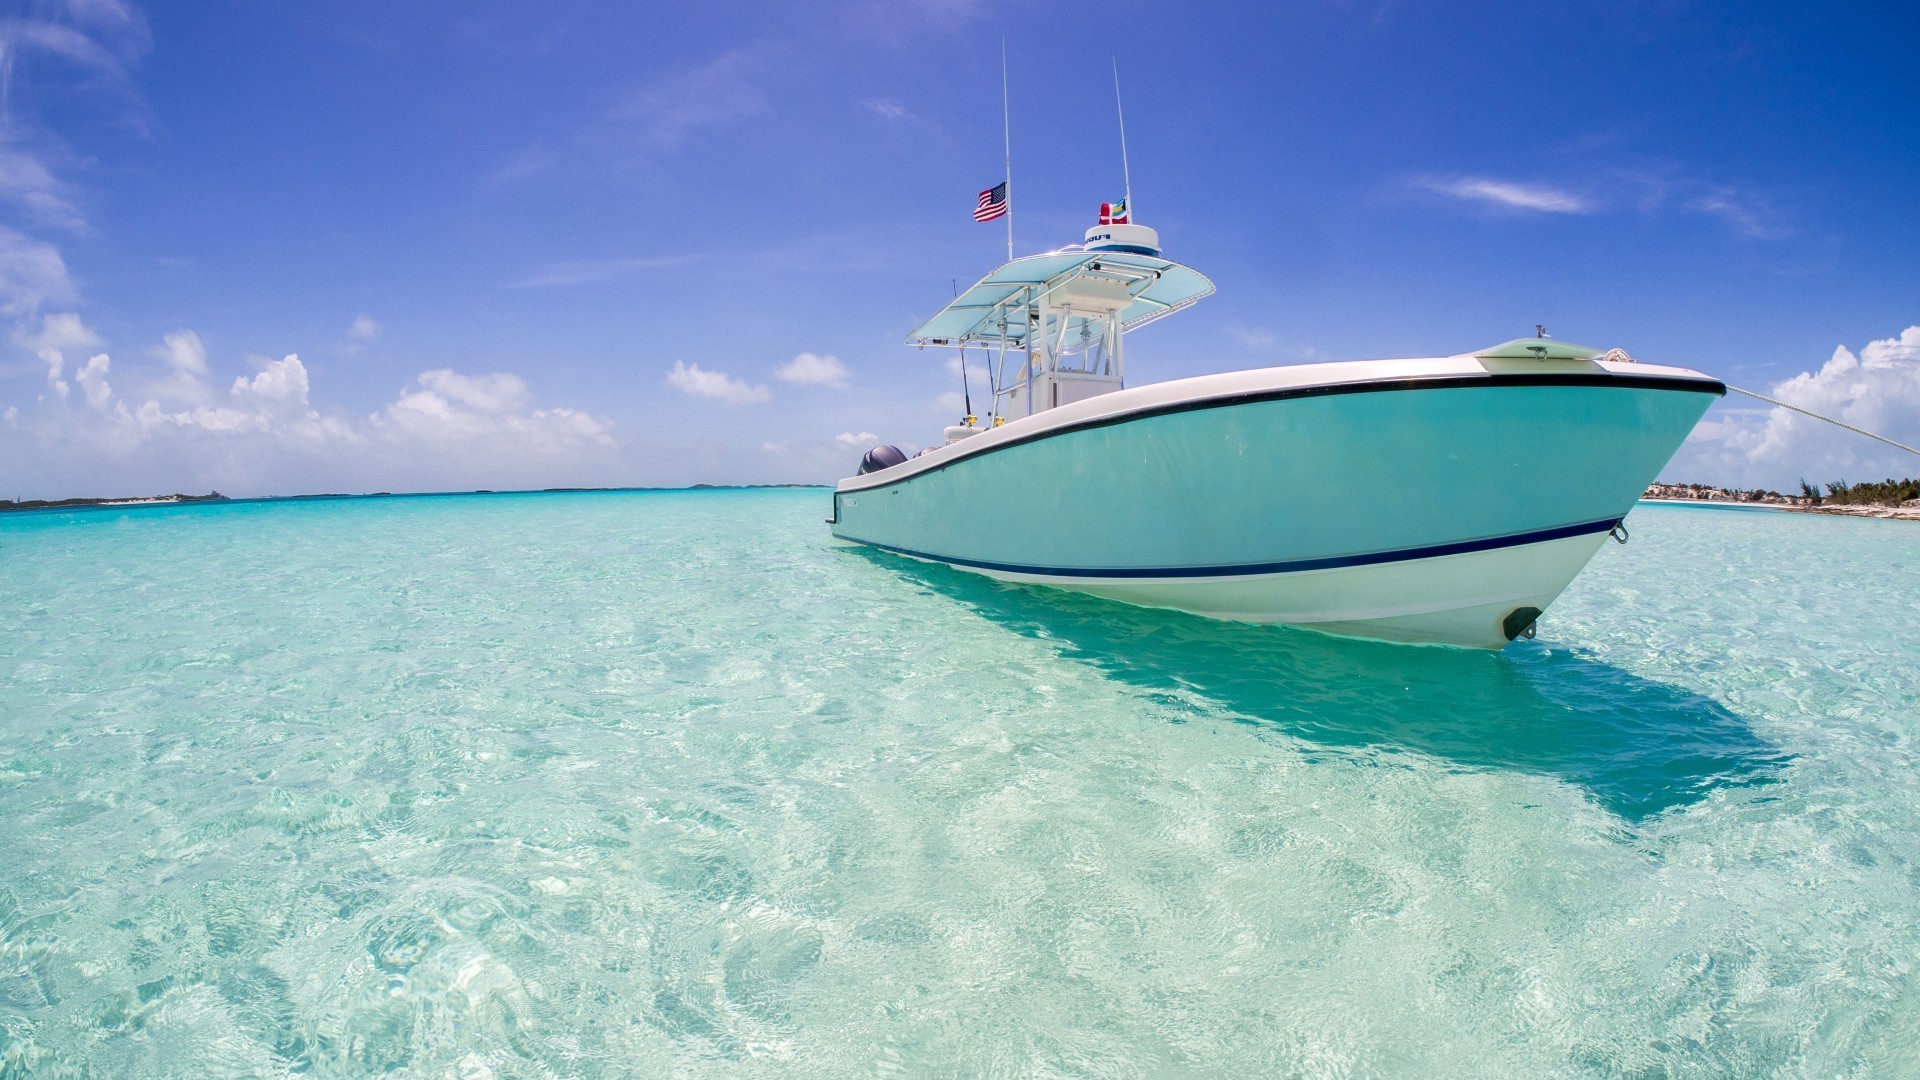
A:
1877	389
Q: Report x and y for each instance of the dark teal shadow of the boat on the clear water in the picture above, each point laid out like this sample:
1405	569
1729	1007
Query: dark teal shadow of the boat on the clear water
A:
1639	747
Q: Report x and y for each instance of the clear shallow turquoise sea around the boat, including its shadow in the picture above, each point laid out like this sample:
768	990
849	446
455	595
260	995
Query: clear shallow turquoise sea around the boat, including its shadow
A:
602	785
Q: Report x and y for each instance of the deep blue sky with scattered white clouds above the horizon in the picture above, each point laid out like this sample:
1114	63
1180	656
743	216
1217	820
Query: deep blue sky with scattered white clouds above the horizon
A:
281	249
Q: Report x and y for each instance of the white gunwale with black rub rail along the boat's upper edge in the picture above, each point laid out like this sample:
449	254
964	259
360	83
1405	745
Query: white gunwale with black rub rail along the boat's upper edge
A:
1454	381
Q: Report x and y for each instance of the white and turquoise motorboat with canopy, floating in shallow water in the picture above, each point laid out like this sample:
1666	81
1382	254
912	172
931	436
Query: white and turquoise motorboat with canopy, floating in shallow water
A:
1416	501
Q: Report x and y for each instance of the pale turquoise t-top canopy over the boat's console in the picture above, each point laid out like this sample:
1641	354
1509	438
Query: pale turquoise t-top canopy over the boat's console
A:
1080	285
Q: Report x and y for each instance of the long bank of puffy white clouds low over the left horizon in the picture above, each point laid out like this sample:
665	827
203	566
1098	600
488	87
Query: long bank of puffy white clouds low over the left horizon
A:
444	430
